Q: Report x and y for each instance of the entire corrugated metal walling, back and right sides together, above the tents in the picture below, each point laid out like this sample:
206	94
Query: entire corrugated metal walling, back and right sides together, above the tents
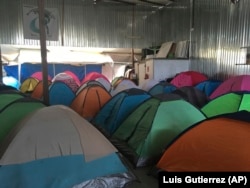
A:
220	29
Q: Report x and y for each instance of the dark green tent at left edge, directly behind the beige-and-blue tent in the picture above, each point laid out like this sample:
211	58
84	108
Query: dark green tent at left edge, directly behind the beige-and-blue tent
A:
14	112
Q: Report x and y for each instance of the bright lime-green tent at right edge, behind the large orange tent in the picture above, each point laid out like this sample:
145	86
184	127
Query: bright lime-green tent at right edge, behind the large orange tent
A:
227	103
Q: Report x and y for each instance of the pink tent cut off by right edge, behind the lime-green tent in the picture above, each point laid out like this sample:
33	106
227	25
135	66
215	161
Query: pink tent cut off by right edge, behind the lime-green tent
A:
235	83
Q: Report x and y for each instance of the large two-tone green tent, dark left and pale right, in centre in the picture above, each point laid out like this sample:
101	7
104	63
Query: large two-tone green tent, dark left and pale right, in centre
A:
145	133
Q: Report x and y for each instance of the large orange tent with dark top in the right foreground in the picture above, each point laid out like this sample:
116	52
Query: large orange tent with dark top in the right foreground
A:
217	144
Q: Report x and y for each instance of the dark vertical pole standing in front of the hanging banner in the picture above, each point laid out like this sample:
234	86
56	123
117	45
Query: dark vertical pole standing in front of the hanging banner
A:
43	51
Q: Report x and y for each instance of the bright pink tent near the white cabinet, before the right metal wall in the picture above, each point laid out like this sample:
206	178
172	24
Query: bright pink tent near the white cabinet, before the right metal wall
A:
188	78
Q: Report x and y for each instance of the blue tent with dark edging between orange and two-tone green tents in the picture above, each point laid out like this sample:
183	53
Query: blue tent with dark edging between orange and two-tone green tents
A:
118	108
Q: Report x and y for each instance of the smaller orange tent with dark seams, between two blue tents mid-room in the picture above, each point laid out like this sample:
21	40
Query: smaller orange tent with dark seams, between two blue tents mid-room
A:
89	101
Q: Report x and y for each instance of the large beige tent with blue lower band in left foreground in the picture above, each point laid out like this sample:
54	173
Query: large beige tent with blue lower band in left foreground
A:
55	147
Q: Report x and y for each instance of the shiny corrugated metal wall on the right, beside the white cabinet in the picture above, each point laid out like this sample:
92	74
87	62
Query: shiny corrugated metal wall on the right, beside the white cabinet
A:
221	29
